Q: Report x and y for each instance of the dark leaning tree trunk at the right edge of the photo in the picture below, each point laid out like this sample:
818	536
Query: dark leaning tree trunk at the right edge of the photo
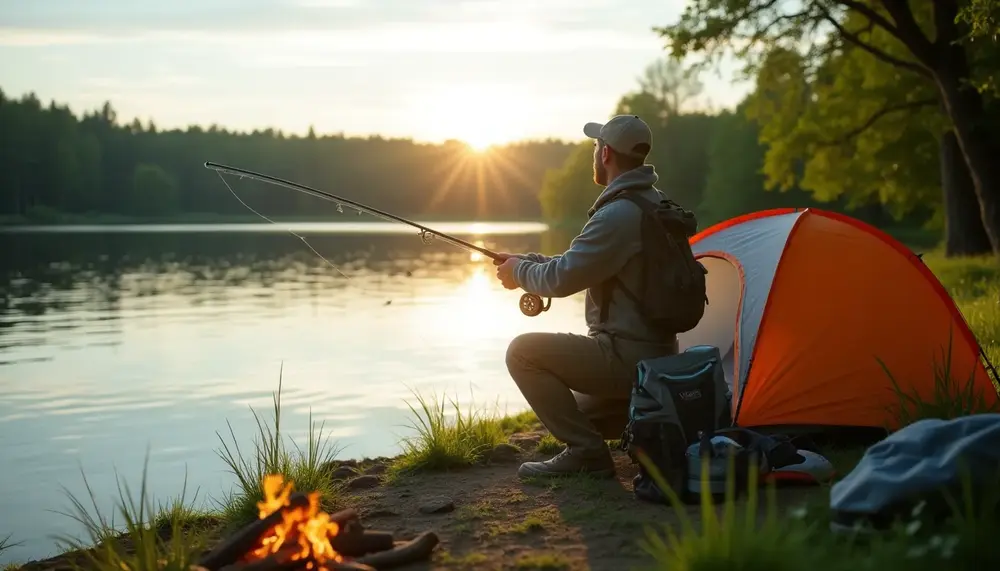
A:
975	137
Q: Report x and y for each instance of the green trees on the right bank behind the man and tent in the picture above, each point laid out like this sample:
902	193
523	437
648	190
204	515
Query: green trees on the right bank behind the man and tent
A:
882	109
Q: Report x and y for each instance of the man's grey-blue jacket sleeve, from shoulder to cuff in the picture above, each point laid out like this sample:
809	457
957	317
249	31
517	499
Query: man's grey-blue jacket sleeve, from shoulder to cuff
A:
606	242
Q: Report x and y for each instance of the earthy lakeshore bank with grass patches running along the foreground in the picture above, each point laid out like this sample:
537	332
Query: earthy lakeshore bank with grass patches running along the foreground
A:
487	518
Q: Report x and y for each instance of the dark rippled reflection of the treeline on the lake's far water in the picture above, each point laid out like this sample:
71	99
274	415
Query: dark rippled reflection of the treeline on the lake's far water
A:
55	282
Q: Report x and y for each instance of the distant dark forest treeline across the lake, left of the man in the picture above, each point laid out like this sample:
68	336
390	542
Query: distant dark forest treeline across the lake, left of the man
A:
54	163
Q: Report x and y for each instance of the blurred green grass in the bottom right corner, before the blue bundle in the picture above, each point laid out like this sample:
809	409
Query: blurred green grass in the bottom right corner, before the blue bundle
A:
743	537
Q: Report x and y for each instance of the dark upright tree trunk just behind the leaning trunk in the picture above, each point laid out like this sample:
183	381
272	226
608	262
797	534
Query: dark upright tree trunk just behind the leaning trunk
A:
964	231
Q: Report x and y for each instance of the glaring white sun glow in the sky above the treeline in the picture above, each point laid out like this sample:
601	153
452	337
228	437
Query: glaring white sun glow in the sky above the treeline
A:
481	116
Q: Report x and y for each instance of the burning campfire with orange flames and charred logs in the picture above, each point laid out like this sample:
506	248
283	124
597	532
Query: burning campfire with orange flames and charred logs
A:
293	533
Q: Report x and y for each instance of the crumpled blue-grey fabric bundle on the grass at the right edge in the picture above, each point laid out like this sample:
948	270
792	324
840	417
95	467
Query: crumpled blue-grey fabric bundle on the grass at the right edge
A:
920	459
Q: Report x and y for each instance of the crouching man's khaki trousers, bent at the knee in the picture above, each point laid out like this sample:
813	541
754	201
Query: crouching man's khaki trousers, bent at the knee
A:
579	386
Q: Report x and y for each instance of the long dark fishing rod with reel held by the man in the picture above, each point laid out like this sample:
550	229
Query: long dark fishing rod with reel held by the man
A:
530	303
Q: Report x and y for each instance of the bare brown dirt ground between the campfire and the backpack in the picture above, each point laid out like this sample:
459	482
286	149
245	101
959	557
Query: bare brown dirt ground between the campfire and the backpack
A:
487	518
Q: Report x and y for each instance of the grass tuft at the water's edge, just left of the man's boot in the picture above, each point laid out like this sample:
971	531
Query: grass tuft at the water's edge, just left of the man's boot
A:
459	440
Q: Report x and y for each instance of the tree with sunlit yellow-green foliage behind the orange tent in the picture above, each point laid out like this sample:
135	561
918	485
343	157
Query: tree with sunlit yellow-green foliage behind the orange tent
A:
832	137
